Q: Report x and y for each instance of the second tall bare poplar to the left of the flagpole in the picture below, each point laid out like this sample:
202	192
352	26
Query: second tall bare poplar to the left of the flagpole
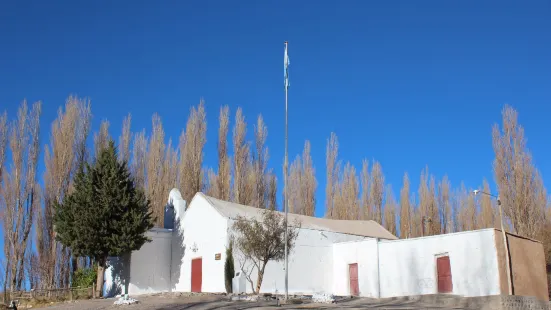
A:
242	187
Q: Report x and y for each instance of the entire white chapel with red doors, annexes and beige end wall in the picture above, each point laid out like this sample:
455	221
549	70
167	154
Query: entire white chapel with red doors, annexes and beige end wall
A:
338	257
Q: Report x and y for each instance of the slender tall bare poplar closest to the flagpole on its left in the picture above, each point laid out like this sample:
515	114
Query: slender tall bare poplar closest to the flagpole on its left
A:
260	161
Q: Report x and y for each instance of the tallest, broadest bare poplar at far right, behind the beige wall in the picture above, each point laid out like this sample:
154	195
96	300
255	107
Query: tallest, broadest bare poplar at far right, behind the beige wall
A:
519	182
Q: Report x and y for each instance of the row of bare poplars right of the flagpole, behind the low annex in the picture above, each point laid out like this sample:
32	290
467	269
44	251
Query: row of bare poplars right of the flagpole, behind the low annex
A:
436	207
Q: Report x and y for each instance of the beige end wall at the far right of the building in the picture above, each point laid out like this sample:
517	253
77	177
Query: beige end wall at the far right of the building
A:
527	266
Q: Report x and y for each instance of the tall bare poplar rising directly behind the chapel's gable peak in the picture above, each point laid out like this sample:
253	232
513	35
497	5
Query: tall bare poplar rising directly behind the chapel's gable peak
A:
192	142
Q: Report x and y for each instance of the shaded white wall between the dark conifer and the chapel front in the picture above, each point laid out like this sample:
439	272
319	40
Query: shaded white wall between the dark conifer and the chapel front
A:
150	266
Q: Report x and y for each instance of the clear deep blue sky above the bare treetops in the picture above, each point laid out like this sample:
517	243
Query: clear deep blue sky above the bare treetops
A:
409	83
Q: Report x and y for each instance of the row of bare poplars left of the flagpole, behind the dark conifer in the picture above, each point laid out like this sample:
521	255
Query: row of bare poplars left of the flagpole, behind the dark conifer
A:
156	163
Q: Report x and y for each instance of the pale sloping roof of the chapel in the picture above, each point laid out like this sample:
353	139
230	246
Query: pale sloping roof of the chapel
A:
359	228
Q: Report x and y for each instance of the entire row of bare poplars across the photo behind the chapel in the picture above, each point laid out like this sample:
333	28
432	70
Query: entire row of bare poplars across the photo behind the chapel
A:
158	165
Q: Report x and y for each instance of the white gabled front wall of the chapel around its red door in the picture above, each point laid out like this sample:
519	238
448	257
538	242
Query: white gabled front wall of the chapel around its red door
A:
206	230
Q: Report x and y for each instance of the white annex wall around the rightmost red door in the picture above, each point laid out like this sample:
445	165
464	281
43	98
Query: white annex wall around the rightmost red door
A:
408	266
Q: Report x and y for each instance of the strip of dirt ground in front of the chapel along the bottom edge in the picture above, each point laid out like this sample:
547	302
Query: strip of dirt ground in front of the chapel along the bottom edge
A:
204	302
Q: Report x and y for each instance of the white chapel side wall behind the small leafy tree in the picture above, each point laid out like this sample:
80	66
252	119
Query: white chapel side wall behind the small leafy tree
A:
310	264
